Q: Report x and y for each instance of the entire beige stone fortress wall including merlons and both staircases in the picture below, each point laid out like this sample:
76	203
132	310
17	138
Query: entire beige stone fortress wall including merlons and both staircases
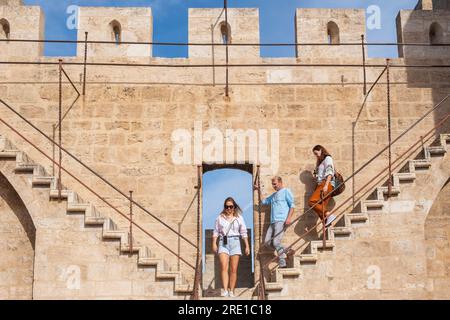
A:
129	125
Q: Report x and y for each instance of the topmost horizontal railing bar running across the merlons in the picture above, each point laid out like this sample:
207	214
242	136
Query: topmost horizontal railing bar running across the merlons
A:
242	44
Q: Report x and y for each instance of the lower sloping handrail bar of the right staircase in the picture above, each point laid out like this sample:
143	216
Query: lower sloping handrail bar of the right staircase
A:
419	142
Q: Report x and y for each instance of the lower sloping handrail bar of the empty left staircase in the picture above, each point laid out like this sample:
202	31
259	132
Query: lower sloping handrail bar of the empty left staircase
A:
95	193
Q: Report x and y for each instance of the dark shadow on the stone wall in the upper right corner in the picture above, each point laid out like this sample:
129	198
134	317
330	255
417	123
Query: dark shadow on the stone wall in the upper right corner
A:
427	26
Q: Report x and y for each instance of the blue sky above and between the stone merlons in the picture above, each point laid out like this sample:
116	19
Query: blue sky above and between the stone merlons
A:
171	21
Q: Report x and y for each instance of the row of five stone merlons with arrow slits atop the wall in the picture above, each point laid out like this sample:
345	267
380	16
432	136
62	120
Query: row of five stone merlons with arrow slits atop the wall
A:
427	23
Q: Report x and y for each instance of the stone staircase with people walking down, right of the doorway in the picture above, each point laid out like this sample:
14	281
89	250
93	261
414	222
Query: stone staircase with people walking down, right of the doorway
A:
344	226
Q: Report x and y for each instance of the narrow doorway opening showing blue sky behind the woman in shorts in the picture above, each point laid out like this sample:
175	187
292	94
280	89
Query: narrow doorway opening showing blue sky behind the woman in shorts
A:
220	182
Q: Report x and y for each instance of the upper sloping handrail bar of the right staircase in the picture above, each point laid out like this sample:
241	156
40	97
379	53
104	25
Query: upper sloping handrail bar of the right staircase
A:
438	105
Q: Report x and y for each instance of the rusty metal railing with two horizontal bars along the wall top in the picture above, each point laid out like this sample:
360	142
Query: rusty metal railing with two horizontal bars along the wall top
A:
227	45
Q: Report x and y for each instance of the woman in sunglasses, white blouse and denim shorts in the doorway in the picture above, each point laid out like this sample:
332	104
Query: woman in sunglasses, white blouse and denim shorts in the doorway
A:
229	228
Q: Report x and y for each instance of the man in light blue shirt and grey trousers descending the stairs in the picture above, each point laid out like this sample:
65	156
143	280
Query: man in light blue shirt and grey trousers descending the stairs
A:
282	209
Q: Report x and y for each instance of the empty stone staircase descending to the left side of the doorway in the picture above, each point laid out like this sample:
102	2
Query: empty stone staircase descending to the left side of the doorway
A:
92	217
